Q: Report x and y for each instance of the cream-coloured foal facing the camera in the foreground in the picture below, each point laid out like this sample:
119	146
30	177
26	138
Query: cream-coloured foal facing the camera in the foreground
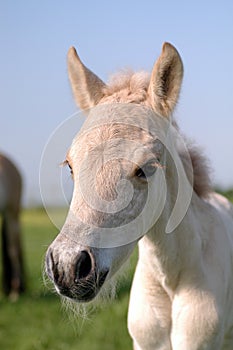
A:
137	181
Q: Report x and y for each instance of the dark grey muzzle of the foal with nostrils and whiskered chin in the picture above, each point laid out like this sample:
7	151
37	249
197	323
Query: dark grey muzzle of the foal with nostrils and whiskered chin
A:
80	280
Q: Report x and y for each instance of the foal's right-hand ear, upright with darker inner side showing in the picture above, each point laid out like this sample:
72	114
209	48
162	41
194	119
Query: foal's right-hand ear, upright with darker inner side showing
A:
165	82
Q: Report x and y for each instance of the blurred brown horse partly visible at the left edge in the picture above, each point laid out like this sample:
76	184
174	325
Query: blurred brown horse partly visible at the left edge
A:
10	197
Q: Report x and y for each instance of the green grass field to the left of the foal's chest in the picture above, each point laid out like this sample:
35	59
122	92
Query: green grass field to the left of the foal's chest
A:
37	320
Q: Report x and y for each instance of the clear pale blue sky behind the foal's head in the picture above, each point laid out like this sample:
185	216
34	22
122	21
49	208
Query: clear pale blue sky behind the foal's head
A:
35	93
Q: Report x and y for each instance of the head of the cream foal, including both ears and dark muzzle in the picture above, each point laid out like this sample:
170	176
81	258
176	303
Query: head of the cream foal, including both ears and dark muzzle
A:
117	164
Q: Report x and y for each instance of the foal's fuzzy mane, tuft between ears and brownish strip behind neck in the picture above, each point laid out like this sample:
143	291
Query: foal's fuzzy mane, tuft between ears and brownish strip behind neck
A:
131	87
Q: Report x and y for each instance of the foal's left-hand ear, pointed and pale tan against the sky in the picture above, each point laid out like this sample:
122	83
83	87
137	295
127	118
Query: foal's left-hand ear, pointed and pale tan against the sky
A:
86	86
